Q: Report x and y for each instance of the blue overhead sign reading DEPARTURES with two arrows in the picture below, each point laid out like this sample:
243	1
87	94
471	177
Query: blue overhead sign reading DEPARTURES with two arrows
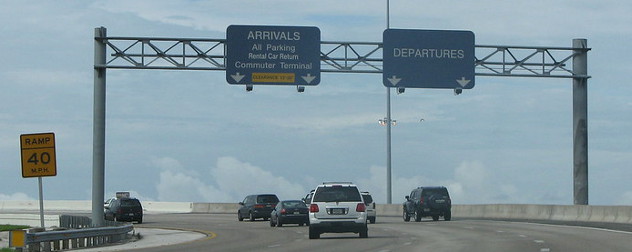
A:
428	59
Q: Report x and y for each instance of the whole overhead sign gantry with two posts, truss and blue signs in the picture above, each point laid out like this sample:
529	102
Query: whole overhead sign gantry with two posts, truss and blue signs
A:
340	57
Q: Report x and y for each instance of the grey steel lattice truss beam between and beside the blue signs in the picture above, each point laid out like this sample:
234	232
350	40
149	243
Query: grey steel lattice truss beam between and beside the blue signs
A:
341	57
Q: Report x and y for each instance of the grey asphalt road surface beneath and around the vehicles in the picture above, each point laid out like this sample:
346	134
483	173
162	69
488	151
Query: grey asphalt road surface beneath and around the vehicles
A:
225	233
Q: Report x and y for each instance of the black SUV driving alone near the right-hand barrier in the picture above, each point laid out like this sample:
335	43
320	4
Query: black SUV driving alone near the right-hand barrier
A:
428	201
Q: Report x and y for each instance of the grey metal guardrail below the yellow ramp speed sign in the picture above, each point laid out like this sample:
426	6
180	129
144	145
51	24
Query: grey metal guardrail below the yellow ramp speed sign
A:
83	237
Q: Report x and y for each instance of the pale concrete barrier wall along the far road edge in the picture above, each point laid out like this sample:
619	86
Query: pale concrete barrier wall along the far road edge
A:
613	214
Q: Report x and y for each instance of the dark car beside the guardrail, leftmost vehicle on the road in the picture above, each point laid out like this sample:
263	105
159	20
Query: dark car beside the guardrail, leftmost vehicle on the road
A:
124	209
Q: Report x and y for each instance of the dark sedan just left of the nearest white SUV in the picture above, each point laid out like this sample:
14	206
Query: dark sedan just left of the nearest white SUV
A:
289	212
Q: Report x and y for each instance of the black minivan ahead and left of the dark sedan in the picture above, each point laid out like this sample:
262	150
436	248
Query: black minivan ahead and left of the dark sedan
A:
257	206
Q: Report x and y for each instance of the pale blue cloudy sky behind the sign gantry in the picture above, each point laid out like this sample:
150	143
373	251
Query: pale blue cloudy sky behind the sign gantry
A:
189	136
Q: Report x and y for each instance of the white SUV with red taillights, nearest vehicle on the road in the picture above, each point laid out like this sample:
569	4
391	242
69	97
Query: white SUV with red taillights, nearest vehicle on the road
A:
337	207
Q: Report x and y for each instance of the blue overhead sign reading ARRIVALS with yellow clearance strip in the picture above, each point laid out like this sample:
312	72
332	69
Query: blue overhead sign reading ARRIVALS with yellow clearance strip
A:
281	55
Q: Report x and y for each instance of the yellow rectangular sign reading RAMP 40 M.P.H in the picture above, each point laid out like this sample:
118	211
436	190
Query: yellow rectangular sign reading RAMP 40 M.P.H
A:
38	155
